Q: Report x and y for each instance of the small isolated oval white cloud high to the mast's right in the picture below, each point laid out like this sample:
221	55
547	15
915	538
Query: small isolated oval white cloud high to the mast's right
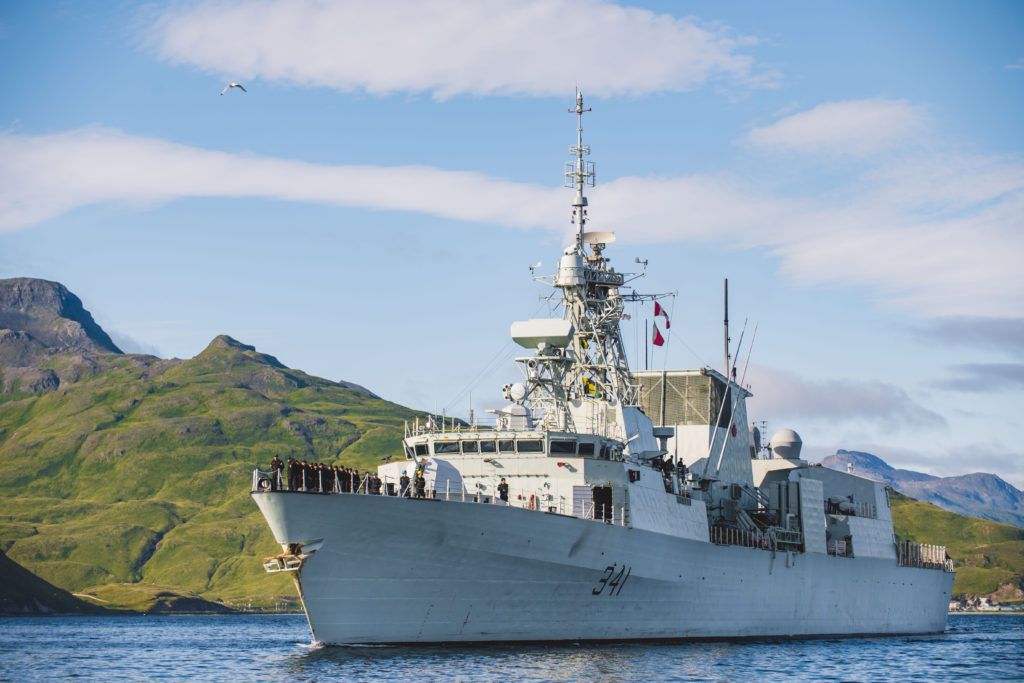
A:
858	129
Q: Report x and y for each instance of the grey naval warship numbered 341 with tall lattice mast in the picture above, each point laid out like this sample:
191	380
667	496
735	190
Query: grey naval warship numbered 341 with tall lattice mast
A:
602	505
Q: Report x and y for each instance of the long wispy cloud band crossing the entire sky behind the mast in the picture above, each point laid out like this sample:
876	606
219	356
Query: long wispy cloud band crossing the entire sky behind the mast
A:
949	263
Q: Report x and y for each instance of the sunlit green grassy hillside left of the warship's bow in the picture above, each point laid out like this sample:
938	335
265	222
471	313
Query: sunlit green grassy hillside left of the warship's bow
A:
141	473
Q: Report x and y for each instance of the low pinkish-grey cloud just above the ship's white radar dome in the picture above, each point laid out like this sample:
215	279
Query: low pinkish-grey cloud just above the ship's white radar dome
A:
841	403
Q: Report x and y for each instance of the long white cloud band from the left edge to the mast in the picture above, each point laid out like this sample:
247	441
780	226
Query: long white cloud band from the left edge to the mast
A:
45	177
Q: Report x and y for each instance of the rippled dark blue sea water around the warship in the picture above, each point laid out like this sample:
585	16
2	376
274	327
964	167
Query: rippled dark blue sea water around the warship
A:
989	648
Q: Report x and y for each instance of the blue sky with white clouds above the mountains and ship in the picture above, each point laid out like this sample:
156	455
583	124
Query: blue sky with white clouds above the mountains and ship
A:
369	208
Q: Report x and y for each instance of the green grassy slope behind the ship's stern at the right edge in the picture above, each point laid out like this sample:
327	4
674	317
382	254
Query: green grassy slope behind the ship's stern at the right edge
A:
988	556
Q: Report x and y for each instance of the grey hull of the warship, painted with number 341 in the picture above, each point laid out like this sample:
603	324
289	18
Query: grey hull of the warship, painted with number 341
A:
397	571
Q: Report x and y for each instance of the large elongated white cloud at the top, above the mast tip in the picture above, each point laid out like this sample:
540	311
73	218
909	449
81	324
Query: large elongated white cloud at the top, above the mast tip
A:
447	48
